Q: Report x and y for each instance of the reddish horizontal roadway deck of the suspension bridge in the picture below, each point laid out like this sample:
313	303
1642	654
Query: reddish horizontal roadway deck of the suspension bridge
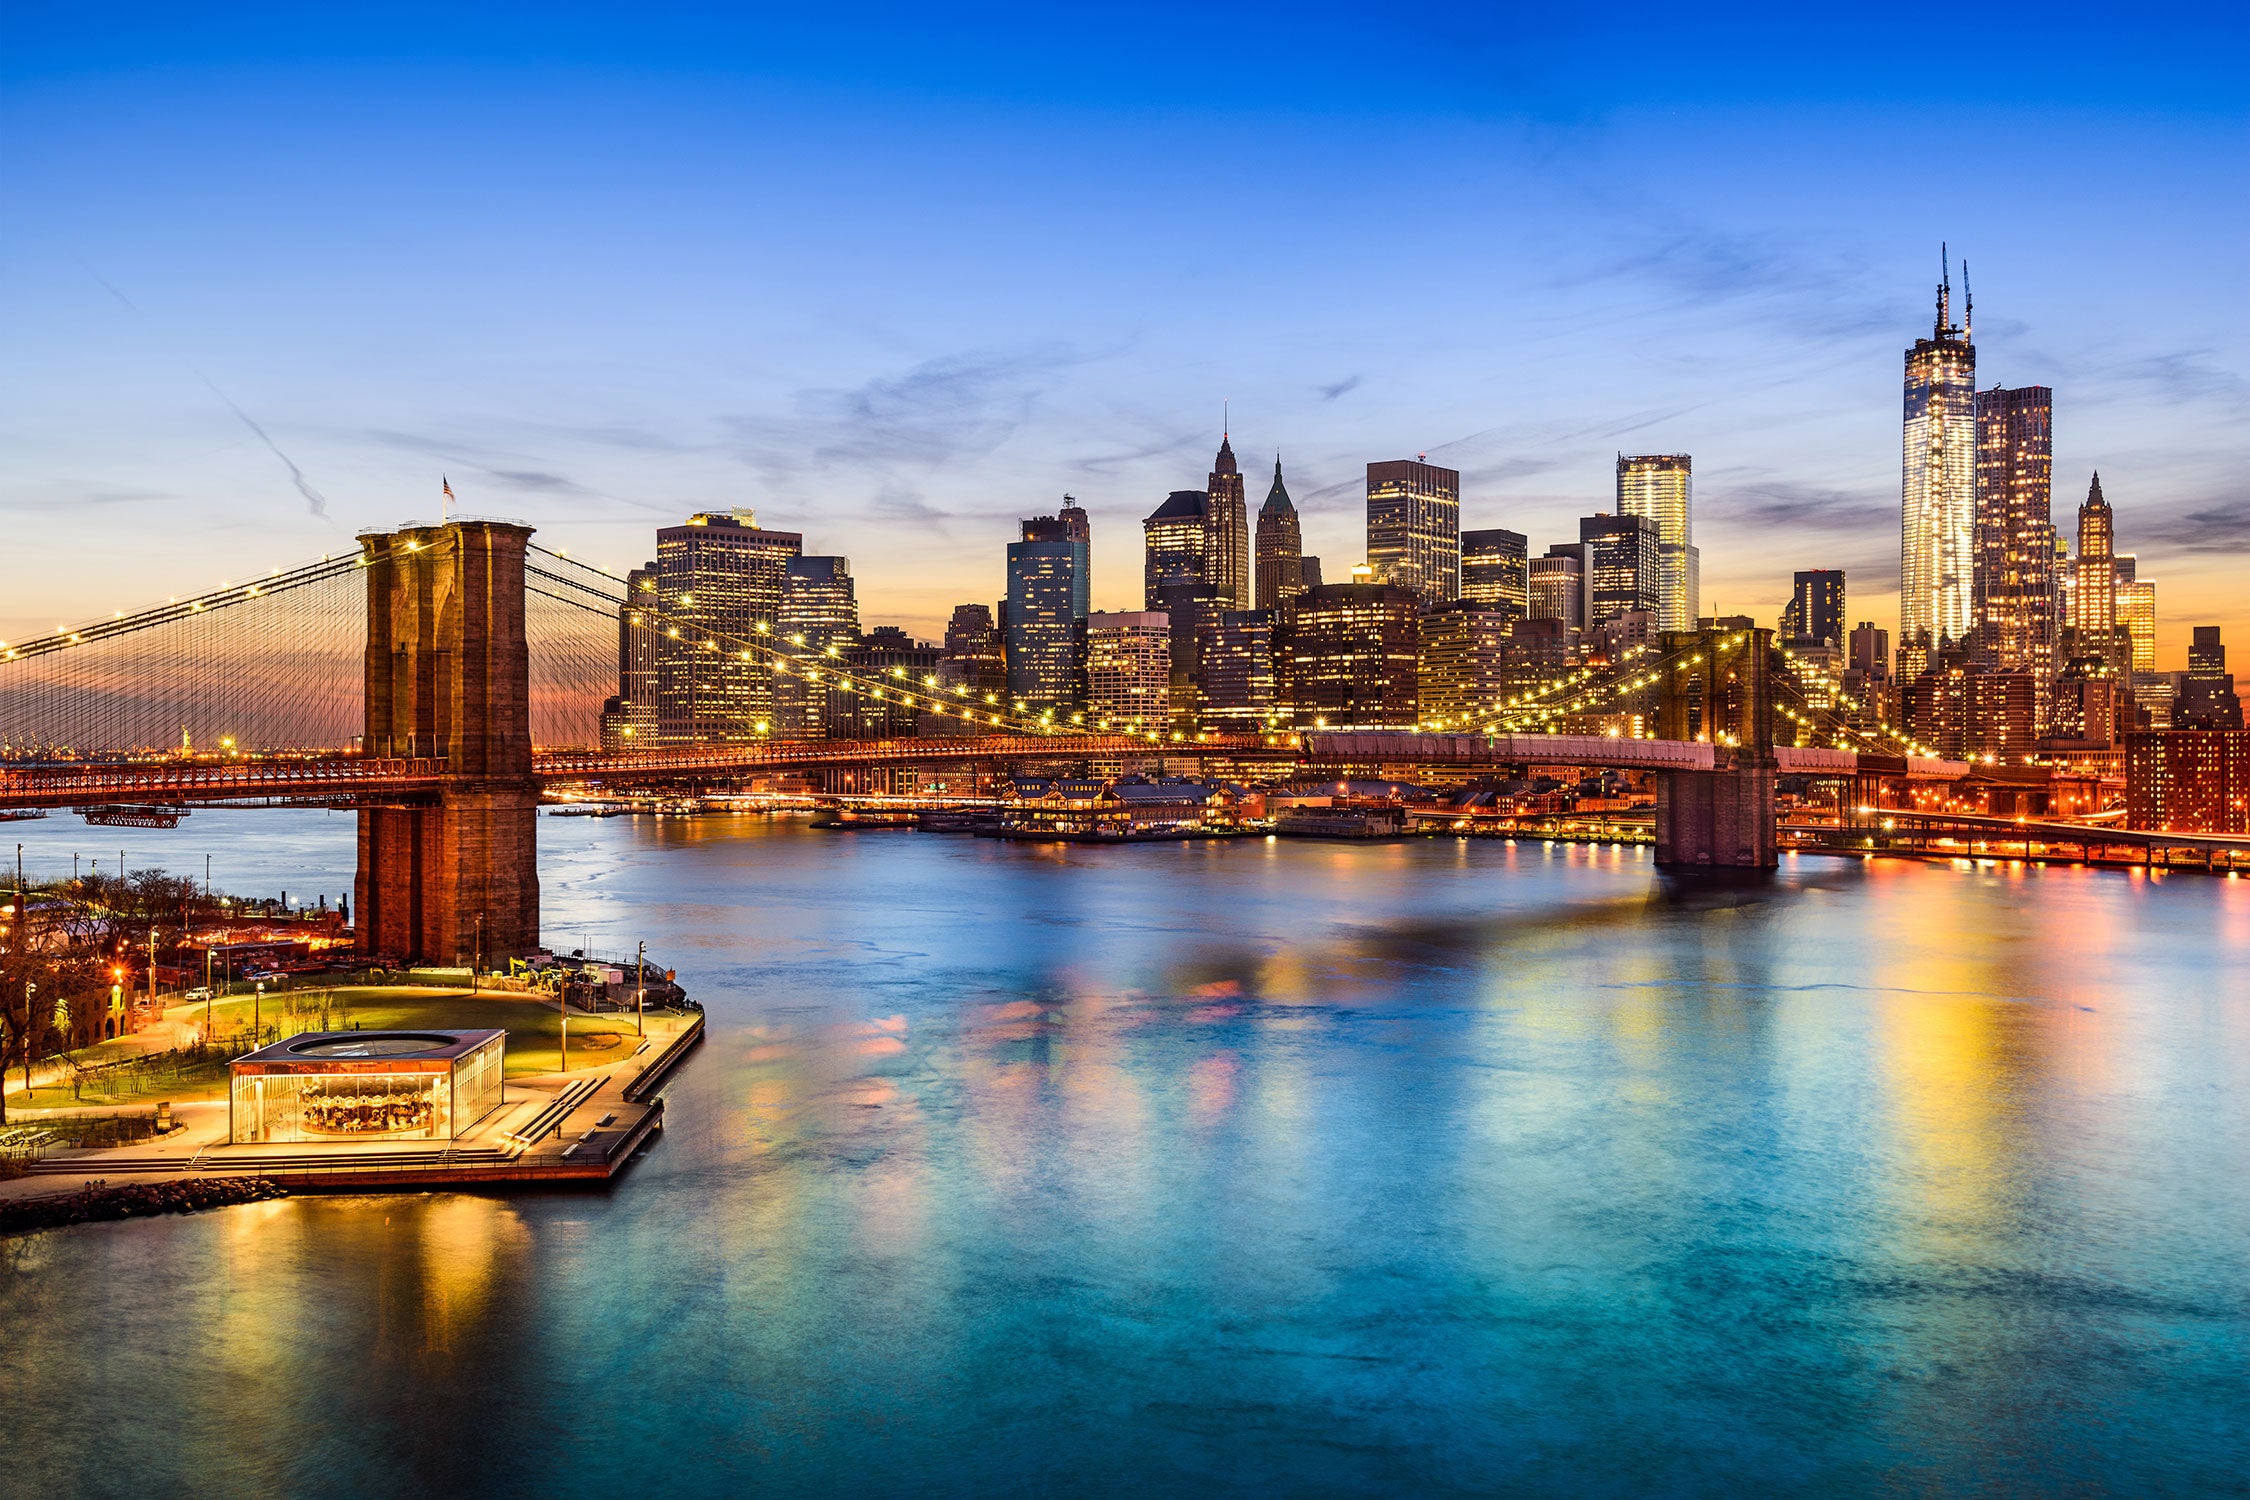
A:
379	779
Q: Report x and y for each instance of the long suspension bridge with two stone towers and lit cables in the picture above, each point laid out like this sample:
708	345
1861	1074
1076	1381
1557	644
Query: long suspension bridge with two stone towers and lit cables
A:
442	678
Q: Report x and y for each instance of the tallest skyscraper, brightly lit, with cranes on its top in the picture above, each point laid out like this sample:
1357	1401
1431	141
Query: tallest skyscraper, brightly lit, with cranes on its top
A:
1938	491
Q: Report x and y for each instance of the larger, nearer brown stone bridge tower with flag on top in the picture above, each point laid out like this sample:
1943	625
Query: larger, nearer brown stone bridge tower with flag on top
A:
449	678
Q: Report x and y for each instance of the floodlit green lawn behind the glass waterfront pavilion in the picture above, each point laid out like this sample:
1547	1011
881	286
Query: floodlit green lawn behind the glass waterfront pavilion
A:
532	1024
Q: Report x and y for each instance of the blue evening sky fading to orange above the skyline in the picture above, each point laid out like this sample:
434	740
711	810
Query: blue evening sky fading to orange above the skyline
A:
901	275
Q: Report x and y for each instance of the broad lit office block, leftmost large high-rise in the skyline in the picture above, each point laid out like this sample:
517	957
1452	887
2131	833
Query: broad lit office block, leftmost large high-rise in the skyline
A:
719	579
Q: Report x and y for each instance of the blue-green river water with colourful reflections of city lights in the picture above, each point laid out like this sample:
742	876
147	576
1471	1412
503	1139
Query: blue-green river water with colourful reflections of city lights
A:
1248	1168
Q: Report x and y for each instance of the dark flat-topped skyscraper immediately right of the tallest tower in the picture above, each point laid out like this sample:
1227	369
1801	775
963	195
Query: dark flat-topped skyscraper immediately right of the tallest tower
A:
2013	590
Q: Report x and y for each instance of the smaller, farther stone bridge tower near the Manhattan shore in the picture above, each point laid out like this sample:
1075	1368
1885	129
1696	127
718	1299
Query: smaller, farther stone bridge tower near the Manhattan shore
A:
1720	689
